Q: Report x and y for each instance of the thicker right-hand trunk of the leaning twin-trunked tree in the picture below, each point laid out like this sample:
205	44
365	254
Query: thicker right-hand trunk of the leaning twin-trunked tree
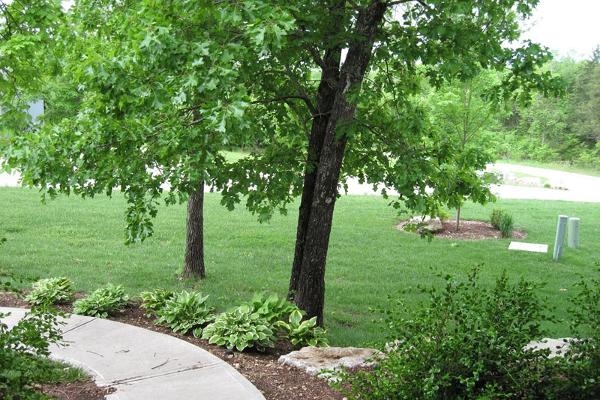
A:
310	295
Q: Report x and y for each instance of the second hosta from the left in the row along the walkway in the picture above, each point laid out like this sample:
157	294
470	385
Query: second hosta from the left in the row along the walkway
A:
102	302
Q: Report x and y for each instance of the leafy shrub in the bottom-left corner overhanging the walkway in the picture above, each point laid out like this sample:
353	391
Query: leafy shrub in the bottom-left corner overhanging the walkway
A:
22	352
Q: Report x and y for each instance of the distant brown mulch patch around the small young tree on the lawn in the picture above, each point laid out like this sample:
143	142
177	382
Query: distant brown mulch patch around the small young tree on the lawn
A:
469	230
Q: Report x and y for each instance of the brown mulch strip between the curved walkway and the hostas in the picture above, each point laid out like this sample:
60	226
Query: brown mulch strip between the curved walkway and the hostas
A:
274	380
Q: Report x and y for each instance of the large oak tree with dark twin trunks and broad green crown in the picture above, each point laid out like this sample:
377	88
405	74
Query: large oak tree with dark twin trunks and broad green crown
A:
328	85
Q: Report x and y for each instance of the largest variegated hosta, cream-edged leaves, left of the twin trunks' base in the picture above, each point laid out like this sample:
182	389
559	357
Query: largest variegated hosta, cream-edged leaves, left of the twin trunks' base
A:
240	329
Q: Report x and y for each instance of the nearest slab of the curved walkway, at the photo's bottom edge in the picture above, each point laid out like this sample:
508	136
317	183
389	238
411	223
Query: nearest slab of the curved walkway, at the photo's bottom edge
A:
218	382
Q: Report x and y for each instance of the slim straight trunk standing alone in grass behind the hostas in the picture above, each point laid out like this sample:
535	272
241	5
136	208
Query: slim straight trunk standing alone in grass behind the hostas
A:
194	251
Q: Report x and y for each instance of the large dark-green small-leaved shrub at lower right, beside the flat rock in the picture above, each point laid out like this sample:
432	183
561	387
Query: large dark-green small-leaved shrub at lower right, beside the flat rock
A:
467	342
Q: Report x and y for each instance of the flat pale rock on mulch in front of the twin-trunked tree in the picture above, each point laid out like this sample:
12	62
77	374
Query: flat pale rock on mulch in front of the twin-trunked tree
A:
314	360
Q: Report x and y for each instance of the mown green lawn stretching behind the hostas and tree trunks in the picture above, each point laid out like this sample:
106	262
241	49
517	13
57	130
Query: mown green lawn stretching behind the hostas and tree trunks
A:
368	258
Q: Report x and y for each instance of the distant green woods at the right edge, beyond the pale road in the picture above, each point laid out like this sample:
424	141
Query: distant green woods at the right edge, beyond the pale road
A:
565	129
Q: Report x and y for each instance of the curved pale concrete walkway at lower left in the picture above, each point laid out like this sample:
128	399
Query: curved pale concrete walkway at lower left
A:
141	364
